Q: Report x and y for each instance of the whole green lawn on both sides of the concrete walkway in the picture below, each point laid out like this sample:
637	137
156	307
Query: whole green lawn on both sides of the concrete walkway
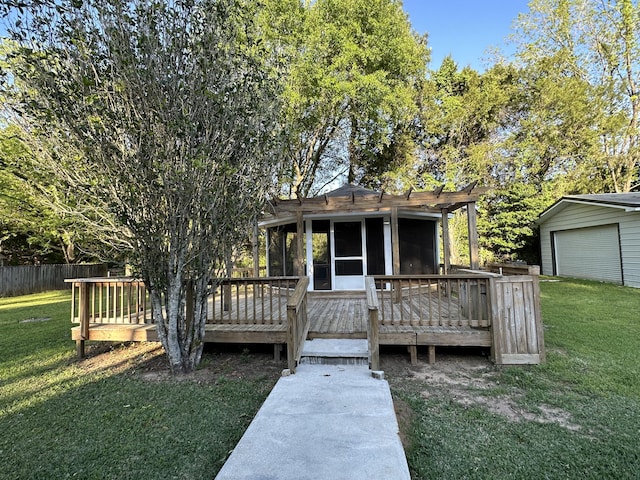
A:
576	416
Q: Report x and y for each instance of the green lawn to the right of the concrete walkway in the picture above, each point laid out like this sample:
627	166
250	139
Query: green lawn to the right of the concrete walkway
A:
590	383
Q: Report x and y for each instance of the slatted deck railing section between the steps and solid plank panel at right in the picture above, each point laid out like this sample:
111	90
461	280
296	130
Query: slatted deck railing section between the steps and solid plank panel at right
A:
433	300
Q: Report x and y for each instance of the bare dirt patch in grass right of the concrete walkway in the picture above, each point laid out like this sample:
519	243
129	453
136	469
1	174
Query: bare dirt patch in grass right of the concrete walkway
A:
471	380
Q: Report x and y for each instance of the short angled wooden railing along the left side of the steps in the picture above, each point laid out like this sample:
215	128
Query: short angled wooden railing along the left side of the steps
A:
297	323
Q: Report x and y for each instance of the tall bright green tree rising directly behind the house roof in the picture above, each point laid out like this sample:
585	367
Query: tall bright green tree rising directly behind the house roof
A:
351	83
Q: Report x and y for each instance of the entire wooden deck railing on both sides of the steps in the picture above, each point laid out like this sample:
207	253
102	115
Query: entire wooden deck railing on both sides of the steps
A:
471	300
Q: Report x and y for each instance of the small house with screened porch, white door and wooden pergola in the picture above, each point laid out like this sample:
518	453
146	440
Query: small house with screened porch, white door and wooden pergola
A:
339	238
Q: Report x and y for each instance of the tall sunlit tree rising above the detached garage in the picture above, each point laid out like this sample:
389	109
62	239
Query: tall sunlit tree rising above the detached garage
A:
582	59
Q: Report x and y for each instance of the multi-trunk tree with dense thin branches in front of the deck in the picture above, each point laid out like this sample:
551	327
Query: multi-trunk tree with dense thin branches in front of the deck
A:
169	111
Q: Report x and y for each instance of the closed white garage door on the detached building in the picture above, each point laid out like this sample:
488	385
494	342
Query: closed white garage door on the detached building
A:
592	253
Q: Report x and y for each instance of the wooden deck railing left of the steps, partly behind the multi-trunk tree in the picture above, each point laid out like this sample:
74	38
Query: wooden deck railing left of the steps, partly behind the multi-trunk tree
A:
268	302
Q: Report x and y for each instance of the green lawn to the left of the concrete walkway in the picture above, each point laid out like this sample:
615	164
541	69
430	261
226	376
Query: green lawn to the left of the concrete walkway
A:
60	419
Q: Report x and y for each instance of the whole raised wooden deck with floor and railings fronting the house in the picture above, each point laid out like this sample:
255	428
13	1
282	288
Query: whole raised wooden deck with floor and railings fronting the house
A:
429	310
